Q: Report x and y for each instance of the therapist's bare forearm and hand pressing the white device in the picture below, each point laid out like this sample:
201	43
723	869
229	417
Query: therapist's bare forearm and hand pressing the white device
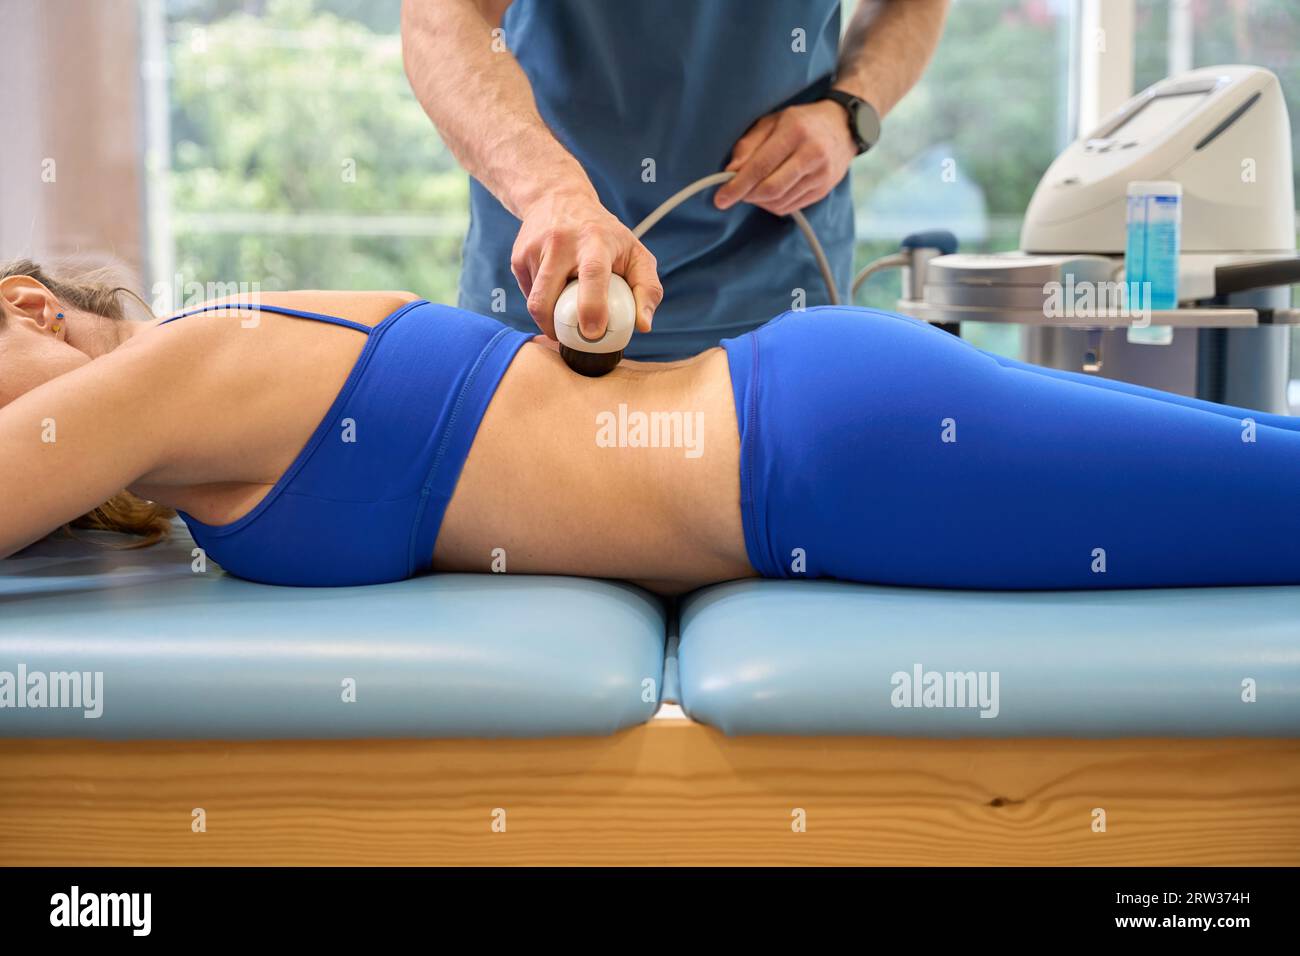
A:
483	105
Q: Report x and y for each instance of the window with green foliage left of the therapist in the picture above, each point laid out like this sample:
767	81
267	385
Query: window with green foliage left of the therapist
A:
287	146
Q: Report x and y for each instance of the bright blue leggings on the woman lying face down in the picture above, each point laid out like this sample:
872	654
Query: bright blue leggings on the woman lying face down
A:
876	448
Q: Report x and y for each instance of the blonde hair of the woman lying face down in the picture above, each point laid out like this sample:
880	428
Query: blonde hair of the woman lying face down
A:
94	292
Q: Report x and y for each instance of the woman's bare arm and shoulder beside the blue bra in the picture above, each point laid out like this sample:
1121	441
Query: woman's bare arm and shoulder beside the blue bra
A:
203	414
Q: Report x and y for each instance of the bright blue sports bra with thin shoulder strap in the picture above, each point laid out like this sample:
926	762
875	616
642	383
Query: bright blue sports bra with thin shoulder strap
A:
363	501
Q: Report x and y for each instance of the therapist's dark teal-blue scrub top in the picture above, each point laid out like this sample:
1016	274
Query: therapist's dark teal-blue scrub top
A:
677	83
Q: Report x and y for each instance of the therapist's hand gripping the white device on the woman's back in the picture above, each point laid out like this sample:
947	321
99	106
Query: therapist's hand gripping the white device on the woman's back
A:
569	233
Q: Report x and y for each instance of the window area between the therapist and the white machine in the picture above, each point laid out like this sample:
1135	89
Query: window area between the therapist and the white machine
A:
967	148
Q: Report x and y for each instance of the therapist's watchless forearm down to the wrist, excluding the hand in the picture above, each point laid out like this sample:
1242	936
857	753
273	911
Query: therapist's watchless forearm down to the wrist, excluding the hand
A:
479	98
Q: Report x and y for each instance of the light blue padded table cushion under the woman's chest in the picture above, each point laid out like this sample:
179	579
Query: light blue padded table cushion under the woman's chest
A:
189	655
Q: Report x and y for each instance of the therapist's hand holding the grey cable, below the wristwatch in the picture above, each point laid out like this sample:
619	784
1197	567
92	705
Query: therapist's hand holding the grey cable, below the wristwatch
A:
790	159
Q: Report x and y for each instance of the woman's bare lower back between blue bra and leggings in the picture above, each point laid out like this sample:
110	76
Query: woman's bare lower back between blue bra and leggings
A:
634	475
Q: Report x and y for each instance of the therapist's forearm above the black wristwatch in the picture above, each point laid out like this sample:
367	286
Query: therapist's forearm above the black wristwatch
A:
887	47
